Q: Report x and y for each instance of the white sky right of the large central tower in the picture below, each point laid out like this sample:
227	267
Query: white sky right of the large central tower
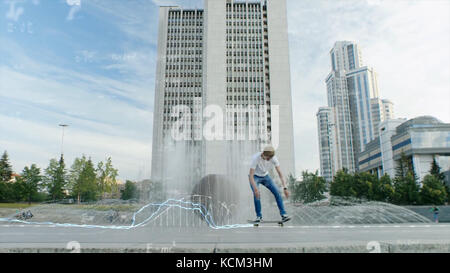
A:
406	42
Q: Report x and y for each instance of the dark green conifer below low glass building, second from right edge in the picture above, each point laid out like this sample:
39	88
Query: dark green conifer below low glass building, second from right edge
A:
406	190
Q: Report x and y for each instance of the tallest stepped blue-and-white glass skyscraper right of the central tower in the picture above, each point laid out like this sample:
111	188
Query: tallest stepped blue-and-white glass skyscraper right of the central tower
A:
352	91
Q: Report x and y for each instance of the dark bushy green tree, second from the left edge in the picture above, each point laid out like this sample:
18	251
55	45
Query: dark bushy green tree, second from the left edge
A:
29	183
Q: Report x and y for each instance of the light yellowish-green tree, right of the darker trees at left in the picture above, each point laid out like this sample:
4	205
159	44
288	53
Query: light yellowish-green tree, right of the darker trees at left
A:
106	175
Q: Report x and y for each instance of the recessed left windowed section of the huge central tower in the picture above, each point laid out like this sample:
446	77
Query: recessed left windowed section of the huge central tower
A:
179	89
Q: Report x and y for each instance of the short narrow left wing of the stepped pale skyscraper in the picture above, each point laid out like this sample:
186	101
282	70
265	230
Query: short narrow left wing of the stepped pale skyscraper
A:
326	133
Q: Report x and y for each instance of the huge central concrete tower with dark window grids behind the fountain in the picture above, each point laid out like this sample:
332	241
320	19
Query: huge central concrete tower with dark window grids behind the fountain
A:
233	58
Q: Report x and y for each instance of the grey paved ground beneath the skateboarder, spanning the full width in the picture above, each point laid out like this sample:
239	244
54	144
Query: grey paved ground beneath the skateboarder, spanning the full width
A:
355	238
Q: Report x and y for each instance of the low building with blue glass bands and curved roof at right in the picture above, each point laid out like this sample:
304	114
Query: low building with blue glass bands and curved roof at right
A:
421	139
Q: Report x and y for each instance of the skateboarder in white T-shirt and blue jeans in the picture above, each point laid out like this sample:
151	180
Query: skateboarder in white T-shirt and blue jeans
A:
259	174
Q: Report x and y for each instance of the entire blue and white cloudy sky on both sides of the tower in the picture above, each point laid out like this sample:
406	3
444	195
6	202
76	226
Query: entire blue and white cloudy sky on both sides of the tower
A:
91	64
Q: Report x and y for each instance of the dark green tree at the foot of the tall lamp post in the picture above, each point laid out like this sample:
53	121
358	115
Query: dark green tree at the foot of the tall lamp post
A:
56	179
